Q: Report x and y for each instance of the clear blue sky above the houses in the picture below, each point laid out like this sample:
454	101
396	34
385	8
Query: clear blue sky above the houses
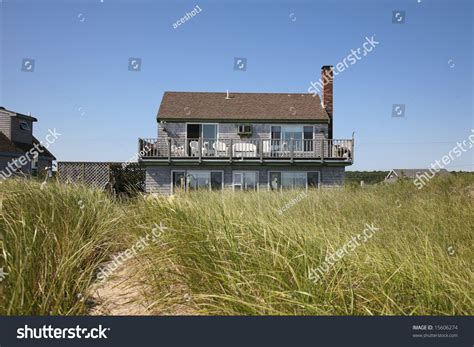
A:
81	84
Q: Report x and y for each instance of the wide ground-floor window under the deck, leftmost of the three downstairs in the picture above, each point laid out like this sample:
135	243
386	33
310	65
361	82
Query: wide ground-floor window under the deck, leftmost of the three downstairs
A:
197	180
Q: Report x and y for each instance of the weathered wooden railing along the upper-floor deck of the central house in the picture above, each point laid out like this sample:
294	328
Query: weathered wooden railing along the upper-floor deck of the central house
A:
176	148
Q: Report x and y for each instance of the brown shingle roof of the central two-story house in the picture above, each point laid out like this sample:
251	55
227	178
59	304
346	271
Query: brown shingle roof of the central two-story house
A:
241	107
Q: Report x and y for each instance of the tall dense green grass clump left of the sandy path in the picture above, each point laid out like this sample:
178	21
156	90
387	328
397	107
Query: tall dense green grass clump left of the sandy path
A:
52	240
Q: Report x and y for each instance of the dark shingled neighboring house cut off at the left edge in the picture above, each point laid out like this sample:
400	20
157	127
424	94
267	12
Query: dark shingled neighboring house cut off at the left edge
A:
16	139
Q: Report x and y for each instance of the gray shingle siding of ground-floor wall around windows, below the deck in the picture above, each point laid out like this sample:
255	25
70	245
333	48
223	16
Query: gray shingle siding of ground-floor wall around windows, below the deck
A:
158	178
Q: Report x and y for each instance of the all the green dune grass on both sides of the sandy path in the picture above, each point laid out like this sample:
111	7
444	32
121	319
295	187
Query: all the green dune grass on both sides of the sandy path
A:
235	254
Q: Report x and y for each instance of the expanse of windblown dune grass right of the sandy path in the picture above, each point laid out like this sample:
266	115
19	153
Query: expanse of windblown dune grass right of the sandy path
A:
239	256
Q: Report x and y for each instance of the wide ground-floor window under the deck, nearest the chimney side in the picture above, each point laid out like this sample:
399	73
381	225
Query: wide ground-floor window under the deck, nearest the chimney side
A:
293	180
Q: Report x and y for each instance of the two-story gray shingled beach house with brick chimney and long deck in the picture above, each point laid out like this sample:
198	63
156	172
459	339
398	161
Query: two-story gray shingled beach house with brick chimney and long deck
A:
245	141
